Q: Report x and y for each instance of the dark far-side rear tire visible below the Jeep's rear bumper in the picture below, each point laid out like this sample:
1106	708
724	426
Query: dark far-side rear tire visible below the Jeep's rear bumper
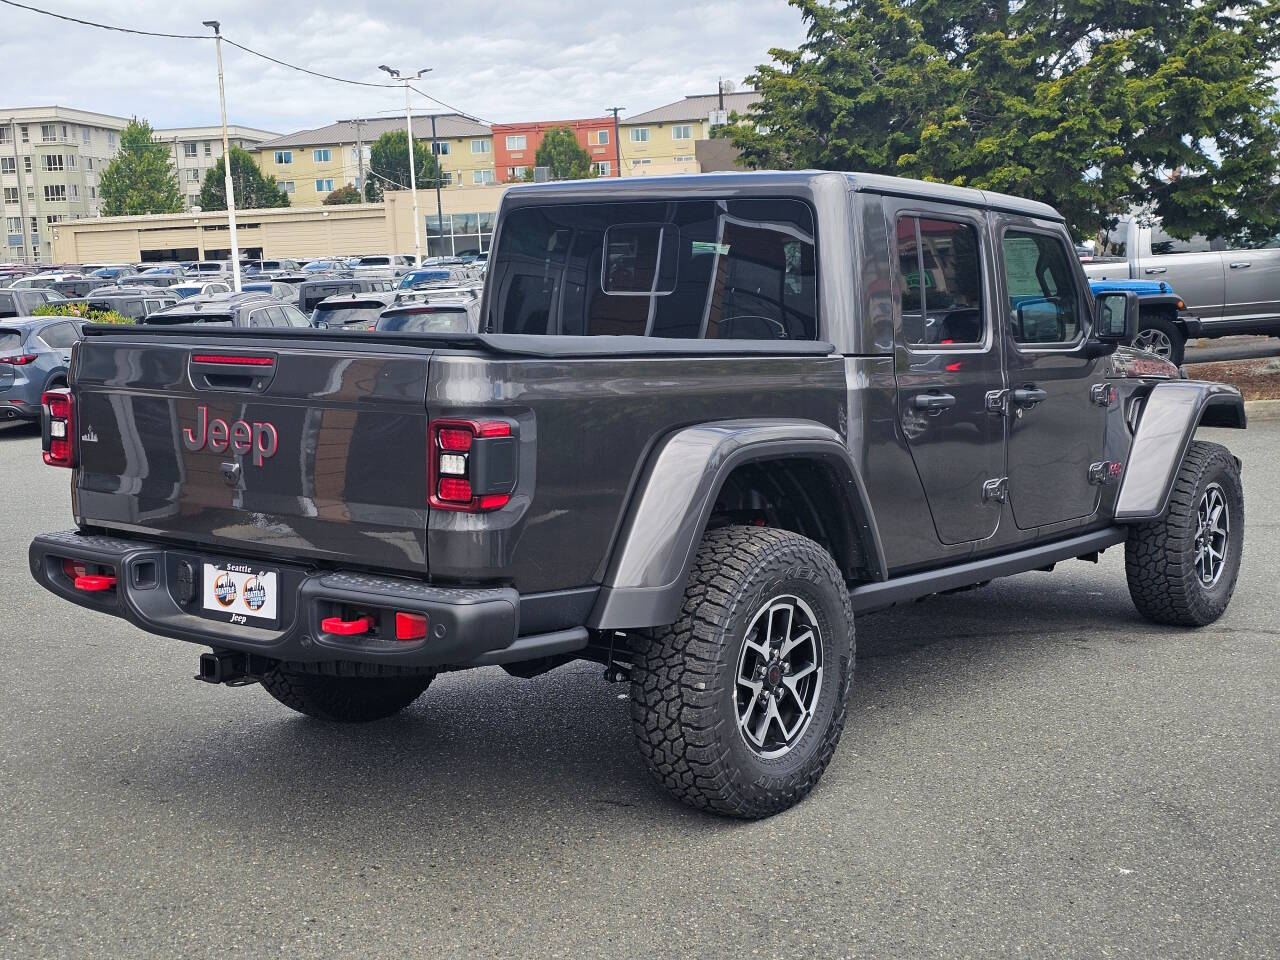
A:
345	700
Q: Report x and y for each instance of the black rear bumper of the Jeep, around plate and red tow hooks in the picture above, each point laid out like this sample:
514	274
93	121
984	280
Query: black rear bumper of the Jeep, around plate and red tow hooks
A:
465	625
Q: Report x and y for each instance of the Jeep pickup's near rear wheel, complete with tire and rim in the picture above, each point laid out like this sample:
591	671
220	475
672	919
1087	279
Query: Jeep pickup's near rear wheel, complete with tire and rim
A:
739	705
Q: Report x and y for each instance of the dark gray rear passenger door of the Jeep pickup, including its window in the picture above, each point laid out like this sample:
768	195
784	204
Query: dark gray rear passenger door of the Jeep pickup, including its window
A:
948	364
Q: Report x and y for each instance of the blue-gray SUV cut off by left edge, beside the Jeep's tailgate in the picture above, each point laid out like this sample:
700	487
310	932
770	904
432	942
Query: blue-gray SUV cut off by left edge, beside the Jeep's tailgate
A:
35	353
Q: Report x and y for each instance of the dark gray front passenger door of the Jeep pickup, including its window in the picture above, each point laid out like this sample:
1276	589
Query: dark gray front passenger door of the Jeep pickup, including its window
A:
1055	429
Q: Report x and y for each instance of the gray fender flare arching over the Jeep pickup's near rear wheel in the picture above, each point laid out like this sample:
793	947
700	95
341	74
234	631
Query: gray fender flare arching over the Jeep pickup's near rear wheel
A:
644	583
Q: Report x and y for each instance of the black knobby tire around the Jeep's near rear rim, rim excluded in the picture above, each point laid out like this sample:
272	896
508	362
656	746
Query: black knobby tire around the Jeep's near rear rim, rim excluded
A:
684	680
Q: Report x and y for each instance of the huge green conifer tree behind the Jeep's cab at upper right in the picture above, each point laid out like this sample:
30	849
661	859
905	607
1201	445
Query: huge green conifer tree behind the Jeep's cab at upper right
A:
1094	106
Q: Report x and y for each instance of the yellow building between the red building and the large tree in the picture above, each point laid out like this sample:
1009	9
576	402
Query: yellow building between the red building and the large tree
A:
661	141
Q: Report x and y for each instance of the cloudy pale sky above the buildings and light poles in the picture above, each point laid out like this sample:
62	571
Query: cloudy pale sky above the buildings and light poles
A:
502	62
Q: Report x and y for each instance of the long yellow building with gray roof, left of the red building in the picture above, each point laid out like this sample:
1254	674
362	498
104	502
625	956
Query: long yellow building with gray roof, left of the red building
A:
312	164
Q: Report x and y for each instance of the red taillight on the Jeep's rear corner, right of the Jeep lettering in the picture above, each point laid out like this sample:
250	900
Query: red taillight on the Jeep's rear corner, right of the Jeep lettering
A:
472	465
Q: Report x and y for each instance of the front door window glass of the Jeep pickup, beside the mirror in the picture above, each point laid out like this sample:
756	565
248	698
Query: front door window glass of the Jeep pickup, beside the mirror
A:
1044	301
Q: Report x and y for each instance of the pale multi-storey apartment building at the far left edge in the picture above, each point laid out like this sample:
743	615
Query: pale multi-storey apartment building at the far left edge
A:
51	161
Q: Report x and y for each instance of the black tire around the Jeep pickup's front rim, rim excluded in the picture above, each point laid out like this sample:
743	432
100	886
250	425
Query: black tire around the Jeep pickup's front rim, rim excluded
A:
1160	556
